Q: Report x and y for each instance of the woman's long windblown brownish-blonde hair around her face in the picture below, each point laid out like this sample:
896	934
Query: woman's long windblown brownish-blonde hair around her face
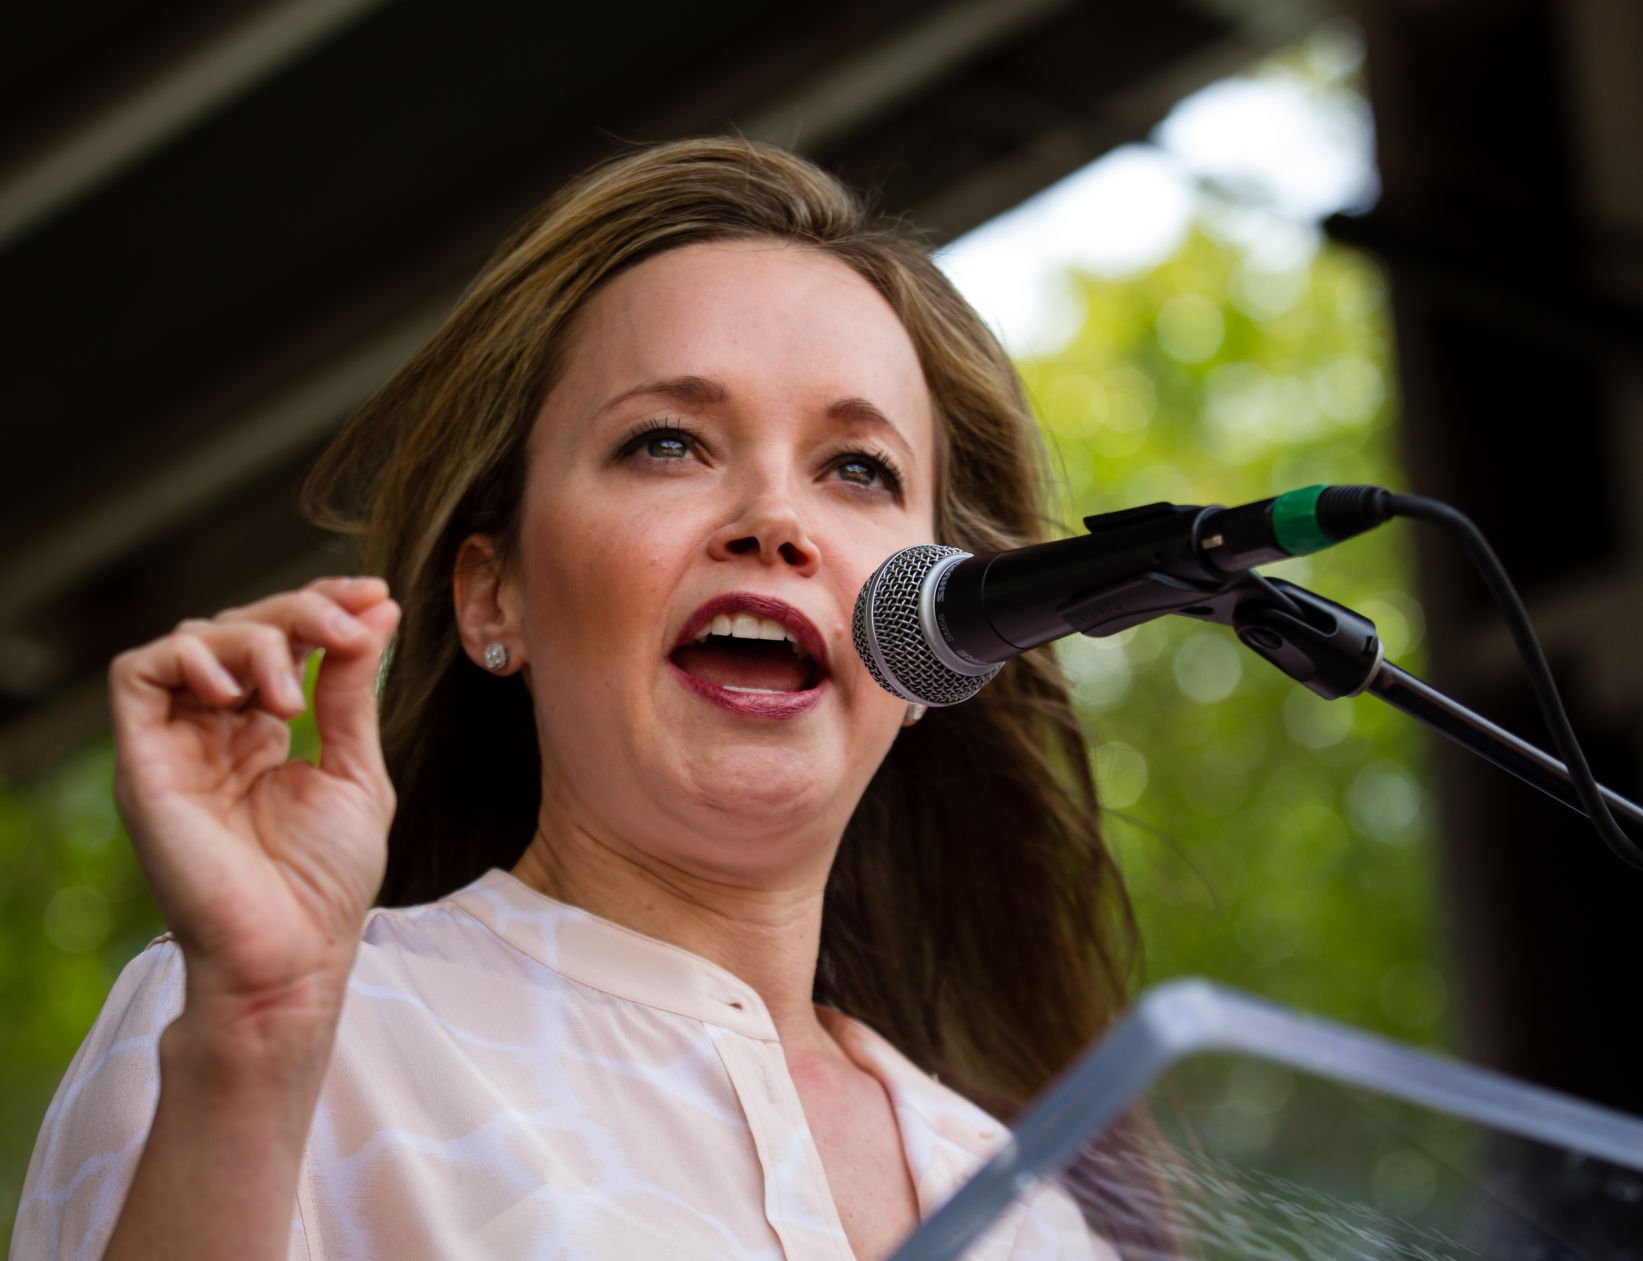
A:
973	913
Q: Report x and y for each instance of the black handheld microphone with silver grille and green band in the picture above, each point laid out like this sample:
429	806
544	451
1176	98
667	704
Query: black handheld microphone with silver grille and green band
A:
934	626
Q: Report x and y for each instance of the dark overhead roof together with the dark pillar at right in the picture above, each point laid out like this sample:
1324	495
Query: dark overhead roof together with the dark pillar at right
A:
223	226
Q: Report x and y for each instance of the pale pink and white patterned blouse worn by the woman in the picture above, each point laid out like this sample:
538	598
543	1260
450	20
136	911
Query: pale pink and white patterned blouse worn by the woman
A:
515	1078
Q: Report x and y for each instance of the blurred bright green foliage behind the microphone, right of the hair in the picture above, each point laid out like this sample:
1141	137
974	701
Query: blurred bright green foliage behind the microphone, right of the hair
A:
1273	839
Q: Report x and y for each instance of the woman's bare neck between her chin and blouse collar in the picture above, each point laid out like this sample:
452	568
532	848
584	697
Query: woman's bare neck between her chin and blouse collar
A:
766	935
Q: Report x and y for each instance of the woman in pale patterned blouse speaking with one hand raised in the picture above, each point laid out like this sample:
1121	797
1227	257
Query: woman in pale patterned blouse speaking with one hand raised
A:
689	941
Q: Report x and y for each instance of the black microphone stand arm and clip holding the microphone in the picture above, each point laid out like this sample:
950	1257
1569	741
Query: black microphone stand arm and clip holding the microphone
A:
1337	652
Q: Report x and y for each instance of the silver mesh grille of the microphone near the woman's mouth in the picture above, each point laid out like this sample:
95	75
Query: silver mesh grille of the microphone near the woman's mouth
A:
891	637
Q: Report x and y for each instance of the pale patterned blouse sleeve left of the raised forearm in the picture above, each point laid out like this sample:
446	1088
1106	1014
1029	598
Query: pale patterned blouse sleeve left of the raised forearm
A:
99	1120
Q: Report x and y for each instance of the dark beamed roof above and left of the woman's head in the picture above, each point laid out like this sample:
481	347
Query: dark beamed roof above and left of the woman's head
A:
224	226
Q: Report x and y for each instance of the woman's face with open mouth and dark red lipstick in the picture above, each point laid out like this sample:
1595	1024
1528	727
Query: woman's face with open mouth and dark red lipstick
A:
742	435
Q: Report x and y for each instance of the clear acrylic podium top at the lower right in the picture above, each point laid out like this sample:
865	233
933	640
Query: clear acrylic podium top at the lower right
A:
1212	1125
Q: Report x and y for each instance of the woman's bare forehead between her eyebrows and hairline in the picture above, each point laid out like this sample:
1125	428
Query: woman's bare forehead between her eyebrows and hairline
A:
776	325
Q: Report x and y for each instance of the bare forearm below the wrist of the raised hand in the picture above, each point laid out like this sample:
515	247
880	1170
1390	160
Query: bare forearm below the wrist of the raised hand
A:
219	1173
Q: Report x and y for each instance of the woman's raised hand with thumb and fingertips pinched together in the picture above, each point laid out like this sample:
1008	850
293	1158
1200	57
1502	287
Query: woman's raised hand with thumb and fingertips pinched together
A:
264	867
